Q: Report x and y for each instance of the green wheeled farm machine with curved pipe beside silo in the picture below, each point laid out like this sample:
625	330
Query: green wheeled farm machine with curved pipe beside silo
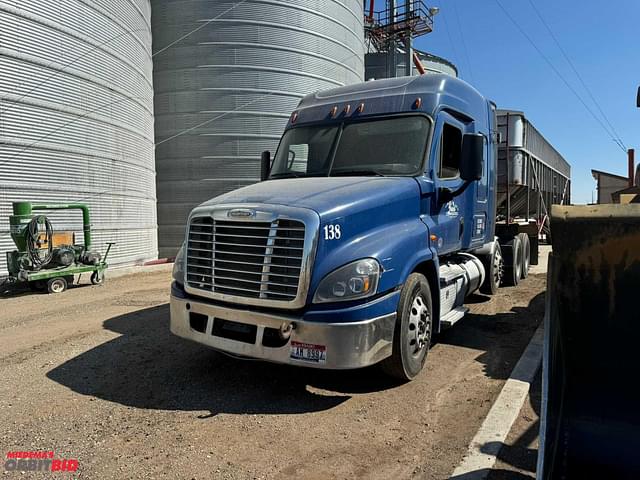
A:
46	259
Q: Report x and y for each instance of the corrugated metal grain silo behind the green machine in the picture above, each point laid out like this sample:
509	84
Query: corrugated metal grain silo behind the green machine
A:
76	118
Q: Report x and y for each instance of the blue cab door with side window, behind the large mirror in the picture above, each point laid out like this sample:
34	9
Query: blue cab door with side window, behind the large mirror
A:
449	214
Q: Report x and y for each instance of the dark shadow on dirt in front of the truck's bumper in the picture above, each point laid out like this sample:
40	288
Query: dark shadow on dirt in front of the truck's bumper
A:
148	367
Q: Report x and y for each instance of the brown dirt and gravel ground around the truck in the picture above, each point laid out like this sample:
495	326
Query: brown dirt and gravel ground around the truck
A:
95	374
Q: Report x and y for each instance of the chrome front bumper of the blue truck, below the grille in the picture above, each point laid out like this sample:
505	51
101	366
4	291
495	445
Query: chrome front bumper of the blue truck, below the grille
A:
346	345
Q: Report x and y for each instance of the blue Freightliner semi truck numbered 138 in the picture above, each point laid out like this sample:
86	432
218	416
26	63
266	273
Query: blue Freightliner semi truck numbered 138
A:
375	219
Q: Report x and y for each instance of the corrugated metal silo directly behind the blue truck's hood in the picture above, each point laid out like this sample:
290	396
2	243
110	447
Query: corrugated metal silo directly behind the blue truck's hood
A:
224	92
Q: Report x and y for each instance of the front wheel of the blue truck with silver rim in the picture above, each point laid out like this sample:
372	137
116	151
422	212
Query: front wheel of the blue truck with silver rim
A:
413	330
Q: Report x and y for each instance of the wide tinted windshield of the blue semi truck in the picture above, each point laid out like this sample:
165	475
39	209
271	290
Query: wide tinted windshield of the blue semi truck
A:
391	146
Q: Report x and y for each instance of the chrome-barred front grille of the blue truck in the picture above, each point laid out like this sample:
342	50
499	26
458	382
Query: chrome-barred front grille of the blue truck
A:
250	259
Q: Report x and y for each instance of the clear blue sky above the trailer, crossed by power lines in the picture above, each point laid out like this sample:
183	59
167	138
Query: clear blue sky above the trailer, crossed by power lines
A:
603	42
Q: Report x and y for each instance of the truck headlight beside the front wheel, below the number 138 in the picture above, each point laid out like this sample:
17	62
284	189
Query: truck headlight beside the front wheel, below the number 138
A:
354	280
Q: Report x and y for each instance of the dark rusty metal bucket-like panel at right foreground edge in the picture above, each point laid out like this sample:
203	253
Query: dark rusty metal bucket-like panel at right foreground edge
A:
590	424
